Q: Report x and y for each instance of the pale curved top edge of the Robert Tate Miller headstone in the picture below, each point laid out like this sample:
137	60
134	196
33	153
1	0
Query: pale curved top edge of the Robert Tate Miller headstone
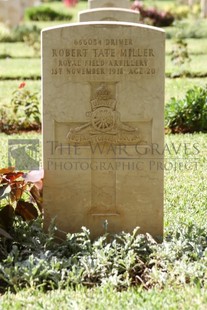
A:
102	23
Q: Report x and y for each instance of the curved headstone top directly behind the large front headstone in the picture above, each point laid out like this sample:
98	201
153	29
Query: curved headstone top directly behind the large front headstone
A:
113	14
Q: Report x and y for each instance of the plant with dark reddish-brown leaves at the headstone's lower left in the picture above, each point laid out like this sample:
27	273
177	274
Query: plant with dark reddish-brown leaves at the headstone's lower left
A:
20	194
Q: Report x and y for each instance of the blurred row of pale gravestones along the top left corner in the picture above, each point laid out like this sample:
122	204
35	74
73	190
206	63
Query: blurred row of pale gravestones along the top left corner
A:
12	11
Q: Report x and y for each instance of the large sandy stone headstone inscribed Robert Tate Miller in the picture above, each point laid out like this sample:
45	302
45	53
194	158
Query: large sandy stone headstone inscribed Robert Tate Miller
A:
103	95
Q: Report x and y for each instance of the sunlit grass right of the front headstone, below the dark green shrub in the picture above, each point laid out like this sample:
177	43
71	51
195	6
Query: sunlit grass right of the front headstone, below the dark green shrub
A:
185	185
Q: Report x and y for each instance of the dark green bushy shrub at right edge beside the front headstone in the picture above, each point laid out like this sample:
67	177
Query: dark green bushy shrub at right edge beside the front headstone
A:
188	114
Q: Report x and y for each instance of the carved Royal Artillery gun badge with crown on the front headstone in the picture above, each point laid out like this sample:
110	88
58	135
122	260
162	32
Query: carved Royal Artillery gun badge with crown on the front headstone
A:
104	123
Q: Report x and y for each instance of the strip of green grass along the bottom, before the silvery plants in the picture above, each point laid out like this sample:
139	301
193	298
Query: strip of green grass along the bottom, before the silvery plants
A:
107	298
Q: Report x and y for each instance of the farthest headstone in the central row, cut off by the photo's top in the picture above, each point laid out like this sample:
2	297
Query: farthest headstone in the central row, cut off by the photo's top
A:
93	4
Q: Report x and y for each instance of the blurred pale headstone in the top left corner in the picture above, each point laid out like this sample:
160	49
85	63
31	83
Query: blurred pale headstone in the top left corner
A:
10	12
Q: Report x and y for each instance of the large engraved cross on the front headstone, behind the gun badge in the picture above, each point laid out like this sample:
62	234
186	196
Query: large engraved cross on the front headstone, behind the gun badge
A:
105	133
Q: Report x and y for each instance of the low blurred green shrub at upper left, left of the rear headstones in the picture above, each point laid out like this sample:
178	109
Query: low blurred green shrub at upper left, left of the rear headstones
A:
43	13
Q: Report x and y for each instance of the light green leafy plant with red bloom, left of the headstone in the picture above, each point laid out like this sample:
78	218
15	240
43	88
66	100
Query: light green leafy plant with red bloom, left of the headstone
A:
23	113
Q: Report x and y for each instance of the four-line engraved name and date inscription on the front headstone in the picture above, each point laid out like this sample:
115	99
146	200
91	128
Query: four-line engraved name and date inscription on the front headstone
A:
92	58
